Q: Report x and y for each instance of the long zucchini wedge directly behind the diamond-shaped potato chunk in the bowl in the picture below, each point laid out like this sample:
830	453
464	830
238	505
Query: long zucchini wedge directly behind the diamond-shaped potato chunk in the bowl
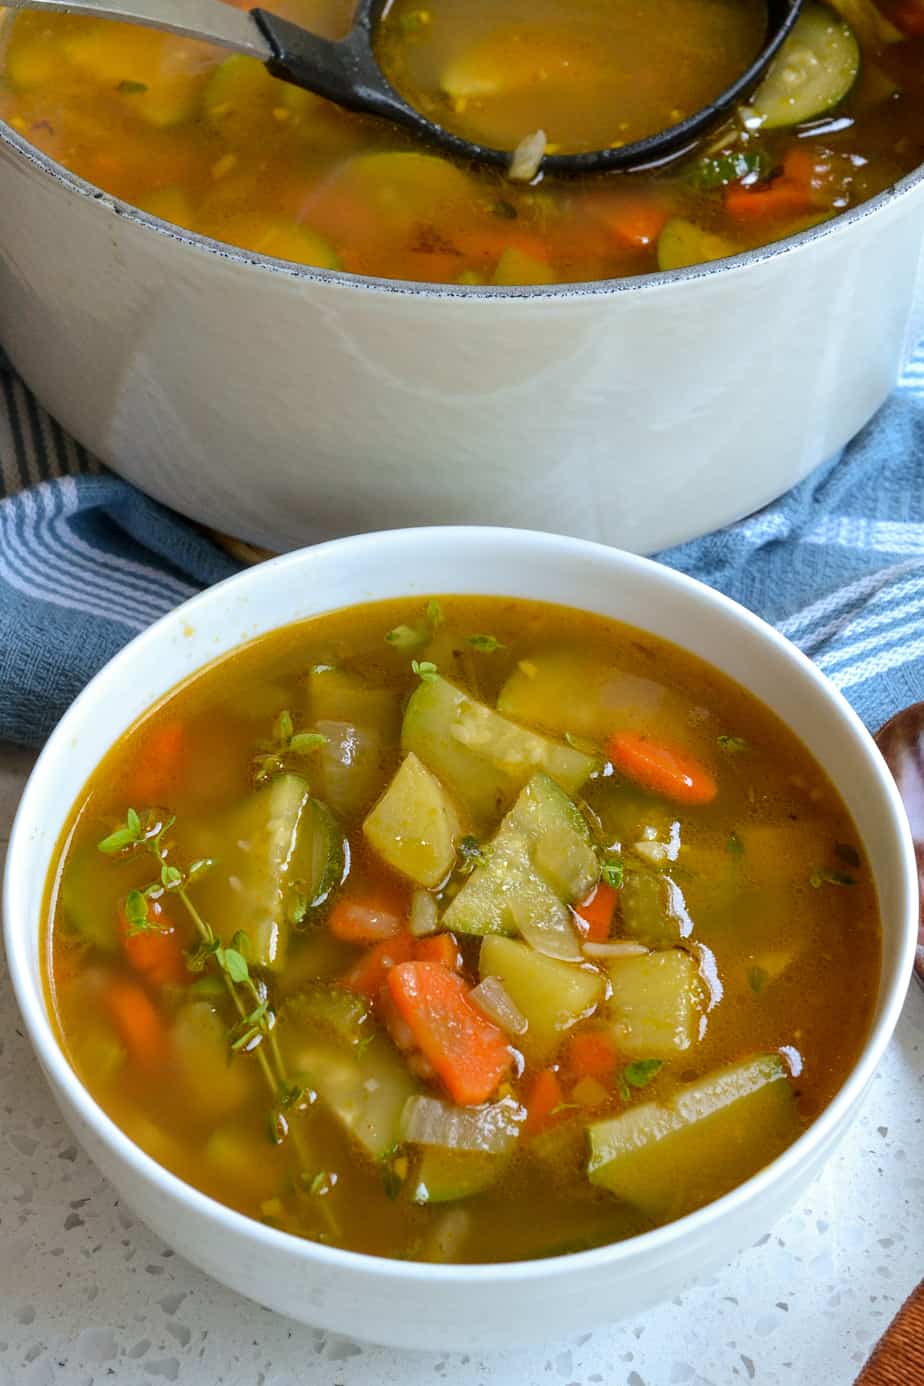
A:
480	756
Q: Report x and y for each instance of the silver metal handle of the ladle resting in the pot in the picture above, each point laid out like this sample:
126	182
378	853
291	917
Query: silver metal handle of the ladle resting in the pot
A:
208	20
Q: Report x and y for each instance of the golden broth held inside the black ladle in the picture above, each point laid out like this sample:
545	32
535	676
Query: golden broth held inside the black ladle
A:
601	74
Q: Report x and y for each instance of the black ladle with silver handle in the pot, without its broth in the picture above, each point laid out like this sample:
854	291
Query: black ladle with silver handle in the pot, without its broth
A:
348	73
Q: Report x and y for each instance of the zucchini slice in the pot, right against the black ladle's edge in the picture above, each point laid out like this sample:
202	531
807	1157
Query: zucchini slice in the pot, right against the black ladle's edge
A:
812	74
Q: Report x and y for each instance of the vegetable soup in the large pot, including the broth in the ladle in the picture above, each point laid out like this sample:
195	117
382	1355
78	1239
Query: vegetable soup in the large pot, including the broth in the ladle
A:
220	148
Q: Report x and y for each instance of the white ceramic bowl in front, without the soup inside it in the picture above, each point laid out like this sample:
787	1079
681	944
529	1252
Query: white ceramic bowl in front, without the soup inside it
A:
466	1308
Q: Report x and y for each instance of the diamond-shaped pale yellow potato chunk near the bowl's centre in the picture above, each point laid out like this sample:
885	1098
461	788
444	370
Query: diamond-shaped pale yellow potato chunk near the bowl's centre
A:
415	827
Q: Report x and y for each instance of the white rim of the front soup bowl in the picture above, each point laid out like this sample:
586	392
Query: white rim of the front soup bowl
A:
19	925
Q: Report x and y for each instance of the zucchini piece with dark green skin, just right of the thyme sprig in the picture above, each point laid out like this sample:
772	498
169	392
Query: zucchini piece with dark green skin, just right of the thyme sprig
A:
279	850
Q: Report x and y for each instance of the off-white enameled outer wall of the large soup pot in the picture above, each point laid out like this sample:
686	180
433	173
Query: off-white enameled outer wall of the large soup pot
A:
283	405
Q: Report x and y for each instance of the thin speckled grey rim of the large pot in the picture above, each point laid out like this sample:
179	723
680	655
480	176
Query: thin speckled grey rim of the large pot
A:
23	149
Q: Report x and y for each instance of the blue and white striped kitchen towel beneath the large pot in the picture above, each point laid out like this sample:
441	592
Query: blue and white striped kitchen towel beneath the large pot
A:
87	562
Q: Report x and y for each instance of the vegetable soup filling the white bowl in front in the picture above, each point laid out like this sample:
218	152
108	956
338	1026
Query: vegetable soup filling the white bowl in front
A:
477	931
